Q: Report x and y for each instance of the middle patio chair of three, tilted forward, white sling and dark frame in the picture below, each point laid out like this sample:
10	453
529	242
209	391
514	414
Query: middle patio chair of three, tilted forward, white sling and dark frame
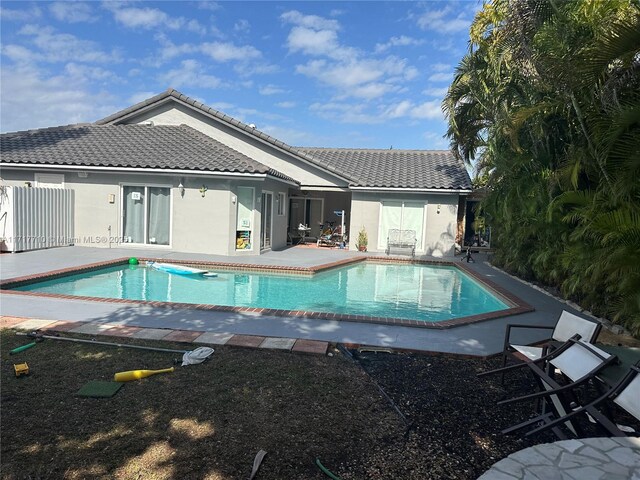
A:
576	360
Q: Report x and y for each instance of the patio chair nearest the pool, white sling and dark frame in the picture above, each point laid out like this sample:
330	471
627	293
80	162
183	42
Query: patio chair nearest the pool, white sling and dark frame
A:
567	326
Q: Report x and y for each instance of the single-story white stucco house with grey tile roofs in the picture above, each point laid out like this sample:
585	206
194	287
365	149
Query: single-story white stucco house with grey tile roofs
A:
173	173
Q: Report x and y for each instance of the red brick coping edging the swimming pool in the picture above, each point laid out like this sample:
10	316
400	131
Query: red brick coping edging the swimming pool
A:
515	304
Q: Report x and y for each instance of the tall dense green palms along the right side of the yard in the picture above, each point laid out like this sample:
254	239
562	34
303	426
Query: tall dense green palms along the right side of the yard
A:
546	101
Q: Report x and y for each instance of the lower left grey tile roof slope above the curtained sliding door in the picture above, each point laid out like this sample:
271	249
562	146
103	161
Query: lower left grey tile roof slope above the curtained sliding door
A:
140	146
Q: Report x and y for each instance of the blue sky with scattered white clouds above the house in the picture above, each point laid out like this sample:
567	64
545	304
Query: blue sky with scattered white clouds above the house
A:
326	74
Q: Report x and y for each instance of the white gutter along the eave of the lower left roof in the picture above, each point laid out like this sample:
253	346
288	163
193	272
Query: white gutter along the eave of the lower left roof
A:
156	171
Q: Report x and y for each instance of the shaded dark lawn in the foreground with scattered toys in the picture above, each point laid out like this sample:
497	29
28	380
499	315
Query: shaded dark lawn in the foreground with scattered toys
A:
208	421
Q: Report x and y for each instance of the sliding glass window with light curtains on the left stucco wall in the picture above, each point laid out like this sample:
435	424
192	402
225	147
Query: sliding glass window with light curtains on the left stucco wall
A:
146	214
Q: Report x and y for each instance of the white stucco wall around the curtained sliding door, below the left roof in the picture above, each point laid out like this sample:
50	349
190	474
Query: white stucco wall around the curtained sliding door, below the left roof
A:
199	224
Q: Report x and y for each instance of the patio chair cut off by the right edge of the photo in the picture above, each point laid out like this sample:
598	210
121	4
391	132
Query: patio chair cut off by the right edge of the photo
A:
625	394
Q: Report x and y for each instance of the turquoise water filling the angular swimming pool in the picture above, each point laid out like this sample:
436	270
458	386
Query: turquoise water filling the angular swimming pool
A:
416	292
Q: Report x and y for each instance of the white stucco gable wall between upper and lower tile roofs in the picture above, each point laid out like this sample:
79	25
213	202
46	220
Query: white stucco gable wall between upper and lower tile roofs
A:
171	113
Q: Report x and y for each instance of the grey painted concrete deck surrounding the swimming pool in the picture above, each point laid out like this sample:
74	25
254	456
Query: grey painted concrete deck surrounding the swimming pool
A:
478	339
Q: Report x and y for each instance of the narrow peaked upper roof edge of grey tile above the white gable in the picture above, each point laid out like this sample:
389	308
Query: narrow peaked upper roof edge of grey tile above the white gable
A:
117	117
